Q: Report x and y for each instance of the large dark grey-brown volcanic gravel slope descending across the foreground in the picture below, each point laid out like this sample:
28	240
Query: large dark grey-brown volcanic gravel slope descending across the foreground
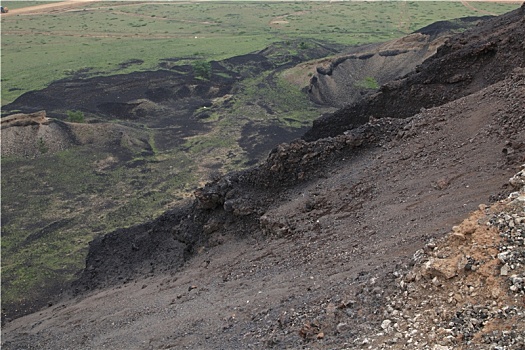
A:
306	250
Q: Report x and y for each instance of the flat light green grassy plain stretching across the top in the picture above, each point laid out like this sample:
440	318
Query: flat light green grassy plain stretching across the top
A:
42	47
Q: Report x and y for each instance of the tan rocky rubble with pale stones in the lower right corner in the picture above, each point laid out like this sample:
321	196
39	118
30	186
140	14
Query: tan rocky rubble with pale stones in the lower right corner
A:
466	290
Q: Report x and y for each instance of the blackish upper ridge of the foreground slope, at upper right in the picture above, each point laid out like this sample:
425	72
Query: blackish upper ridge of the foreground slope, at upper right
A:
465	64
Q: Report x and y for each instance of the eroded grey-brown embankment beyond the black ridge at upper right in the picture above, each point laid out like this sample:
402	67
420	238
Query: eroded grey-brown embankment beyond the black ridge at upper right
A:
358	74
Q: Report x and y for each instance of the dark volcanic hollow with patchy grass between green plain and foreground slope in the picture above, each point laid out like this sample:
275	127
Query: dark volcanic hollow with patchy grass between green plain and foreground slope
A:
150	138
